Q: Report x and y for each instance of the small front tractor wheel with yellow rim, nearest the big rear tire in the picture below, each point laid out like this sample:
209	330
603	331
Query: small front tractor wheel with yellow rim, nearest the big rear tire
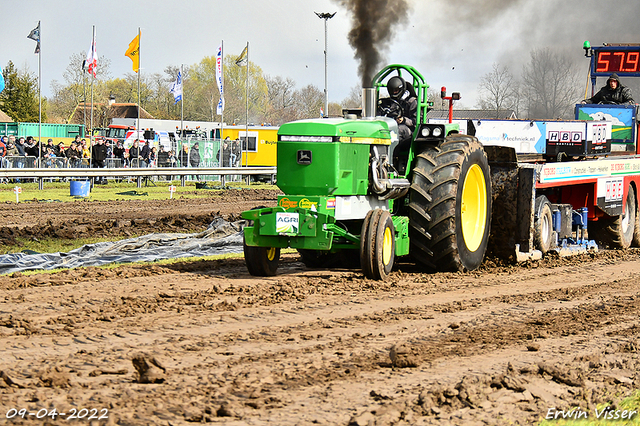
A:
378	253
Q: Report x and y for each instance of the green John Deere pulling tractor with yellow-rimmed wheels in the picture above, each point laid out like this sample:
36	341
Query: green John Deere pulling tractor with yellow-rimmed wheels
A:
353	195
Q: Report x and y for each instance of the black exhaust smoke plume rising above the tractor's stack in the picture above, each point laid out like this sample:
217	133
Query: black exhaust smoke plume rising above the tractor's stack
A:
374	22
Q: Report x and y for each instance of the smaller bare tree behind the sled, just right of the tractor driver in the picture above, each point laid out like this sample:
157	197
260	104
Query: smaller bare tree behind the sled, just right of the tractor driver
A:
498	90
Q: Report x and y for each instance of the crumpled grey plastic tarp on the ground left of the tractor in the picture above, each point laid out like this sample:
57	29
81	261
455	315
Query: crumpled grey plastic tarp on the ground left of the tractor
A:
221	237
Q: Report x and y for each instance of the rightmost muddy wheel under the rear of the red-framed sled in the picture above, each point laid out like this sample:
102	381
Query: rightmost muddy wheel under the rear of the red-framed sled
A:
617	232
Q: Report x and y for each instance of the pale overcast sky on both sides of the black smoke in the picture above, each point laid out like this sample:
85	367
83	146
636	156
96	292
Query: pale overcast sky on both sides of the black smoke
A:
452	43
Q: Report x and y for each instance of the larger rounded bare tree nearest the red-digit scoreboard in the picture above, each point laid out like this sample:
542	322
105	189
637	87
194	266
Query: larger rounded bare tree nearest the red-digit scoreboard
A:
550	85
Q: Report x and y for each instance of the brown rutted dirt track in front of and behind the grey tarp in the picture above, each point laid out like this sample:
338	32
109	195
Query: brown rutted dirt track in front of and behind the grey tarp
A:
202	341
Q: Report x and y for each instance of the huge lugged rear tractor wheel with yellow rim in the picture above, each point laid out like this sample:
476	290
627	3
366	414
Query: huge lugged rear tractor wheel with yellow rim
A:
450	205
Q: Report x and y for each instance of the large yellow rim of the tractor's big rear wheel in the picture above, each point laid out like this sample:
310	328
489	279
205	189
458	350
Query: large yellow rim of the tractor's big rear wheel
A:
474	208
